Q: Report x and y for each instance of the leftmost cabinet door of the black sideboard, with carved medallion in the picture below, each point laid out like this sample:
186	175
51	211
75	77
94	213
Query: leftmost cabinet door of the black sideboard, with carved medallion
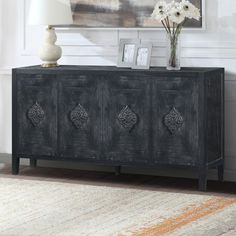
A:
36	112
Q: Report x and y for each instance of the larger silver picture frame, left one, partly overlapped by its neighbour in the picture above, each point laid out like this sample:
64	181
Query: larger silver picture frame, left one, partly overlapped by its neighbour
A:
127	49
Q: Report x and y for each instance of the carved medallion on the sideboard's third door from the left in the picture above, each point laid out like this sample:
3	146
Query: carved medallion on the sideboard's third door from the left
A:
127	118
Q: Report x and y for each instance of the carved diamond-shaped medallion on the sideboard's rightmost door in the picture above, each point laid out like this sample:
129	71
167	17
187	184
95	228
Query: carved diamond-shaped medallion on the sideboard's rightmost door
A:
173	120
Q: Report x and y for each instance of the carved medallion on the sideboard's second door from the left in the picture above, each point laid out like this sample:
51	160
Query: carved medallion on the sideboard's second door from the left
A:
79	116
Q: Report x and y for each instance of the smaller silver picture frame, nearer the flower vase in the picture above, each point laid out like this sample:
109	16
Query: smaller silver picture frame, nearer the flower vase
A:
142	58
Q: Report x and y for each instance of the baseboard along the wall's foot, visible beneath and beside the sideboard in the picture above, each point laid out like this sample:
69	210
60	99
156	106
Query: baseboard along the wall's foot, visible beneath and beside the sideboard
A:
230	175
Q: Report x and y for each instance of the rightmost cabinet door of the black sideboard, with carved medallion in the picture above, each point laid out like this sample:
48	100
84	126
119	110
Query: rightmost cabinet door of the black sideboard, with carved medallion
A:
175	121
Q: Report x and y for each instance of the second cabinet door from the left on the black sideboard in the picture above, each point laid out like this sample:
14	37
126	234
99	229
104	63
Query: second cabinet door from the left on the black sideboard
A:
79	117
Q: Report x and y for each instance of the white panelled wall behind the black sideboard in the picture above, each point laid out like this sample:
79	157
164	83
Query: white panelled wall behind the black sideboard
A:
215	46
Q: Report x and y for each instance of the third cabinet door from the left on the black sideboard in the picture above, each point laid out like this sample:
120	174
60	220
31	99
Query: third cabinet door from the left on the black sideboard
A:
126	119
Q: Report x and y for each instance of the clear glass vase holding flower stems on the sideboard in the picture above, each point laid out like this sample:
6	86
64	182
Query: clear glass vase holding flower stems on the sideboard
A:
173	52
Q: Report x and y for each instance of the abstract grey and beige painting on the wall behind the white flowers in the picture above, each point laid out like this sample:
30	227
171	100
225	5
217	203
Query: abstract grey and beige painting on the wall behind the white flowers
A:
120	14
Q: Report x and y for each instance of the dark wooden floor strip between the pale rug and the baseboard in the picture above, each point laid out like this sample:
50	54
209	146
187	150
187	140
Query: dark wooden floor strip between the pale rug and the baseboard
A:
137	181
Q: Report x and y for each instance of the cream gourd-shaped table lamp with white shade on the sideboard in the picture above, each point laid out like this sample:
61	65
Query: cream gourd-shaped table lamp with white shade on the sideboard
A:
50	13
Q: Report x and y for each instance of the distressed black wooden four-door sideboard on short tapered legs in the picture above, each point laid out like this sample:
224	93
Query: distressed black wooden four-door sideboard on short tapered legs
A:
120	117
